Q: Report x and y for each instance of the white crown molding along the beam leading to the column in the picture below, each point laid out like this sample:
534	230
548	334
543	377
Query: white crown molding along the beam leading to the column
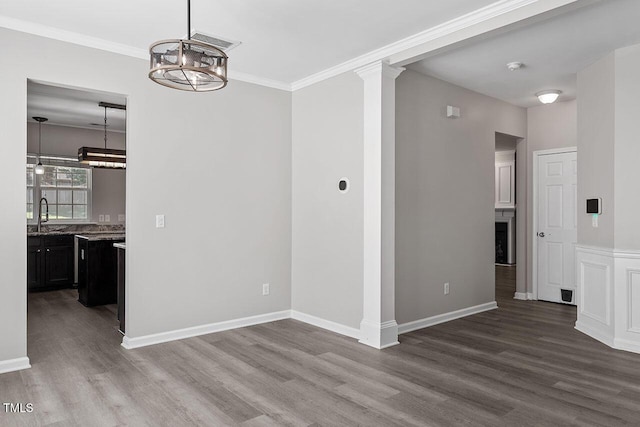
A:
476	17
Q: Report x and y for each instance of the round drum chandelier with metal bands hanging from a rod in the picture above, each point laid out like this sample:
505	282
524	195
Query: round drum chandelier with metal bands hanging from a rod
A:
190	65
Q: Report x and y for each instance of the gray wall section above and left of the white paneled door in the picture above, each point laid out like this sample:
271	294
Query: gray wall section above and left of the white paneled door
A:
548	126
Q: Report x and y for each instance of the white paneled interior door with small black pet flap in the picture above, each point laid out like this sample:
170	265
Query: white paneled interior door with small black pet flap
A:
557	229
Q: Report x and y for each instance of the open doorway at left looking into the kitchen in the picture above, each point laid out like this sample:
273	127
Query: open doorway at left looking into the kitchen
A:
75	213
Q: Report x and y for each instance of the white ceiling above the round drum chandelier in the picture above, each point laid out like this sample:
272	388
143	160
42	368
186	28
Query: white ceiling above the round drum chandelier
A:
282	40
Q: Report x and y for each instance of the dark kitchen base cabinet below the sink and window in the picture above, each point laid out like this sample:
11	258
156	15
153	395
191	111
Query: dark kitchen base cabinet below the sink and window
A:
49	262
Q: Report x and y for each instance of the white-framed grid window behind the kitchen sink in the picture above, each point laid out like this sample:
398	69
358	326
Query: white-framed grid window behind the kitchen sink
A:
66	187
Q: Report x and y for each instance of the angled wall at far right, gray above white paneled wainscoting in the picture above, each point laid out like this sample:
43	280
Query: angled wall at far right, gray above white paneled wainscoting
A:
609	255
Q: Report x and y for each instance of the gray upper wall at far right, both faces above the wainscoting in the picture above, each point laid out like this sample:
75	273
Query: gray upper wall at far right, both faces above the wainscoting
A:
608	106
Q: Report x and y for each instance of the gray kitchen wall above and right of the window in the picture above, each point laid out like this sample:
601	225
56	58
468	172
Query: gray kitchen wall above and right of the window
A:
108	195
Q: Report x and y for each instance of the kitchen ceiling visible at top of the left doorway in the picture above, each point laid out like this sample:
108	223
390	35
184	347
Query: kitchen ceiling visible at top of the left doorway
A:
72	107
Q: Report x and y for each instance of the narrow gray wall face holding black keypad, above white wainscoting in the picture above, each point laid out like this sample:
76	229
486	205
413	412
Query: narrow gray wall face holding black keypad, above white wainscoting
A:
596	138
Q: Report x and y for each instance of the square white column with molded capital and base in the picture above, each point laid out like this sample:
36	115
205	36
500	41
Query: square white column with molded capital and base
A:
378	327
